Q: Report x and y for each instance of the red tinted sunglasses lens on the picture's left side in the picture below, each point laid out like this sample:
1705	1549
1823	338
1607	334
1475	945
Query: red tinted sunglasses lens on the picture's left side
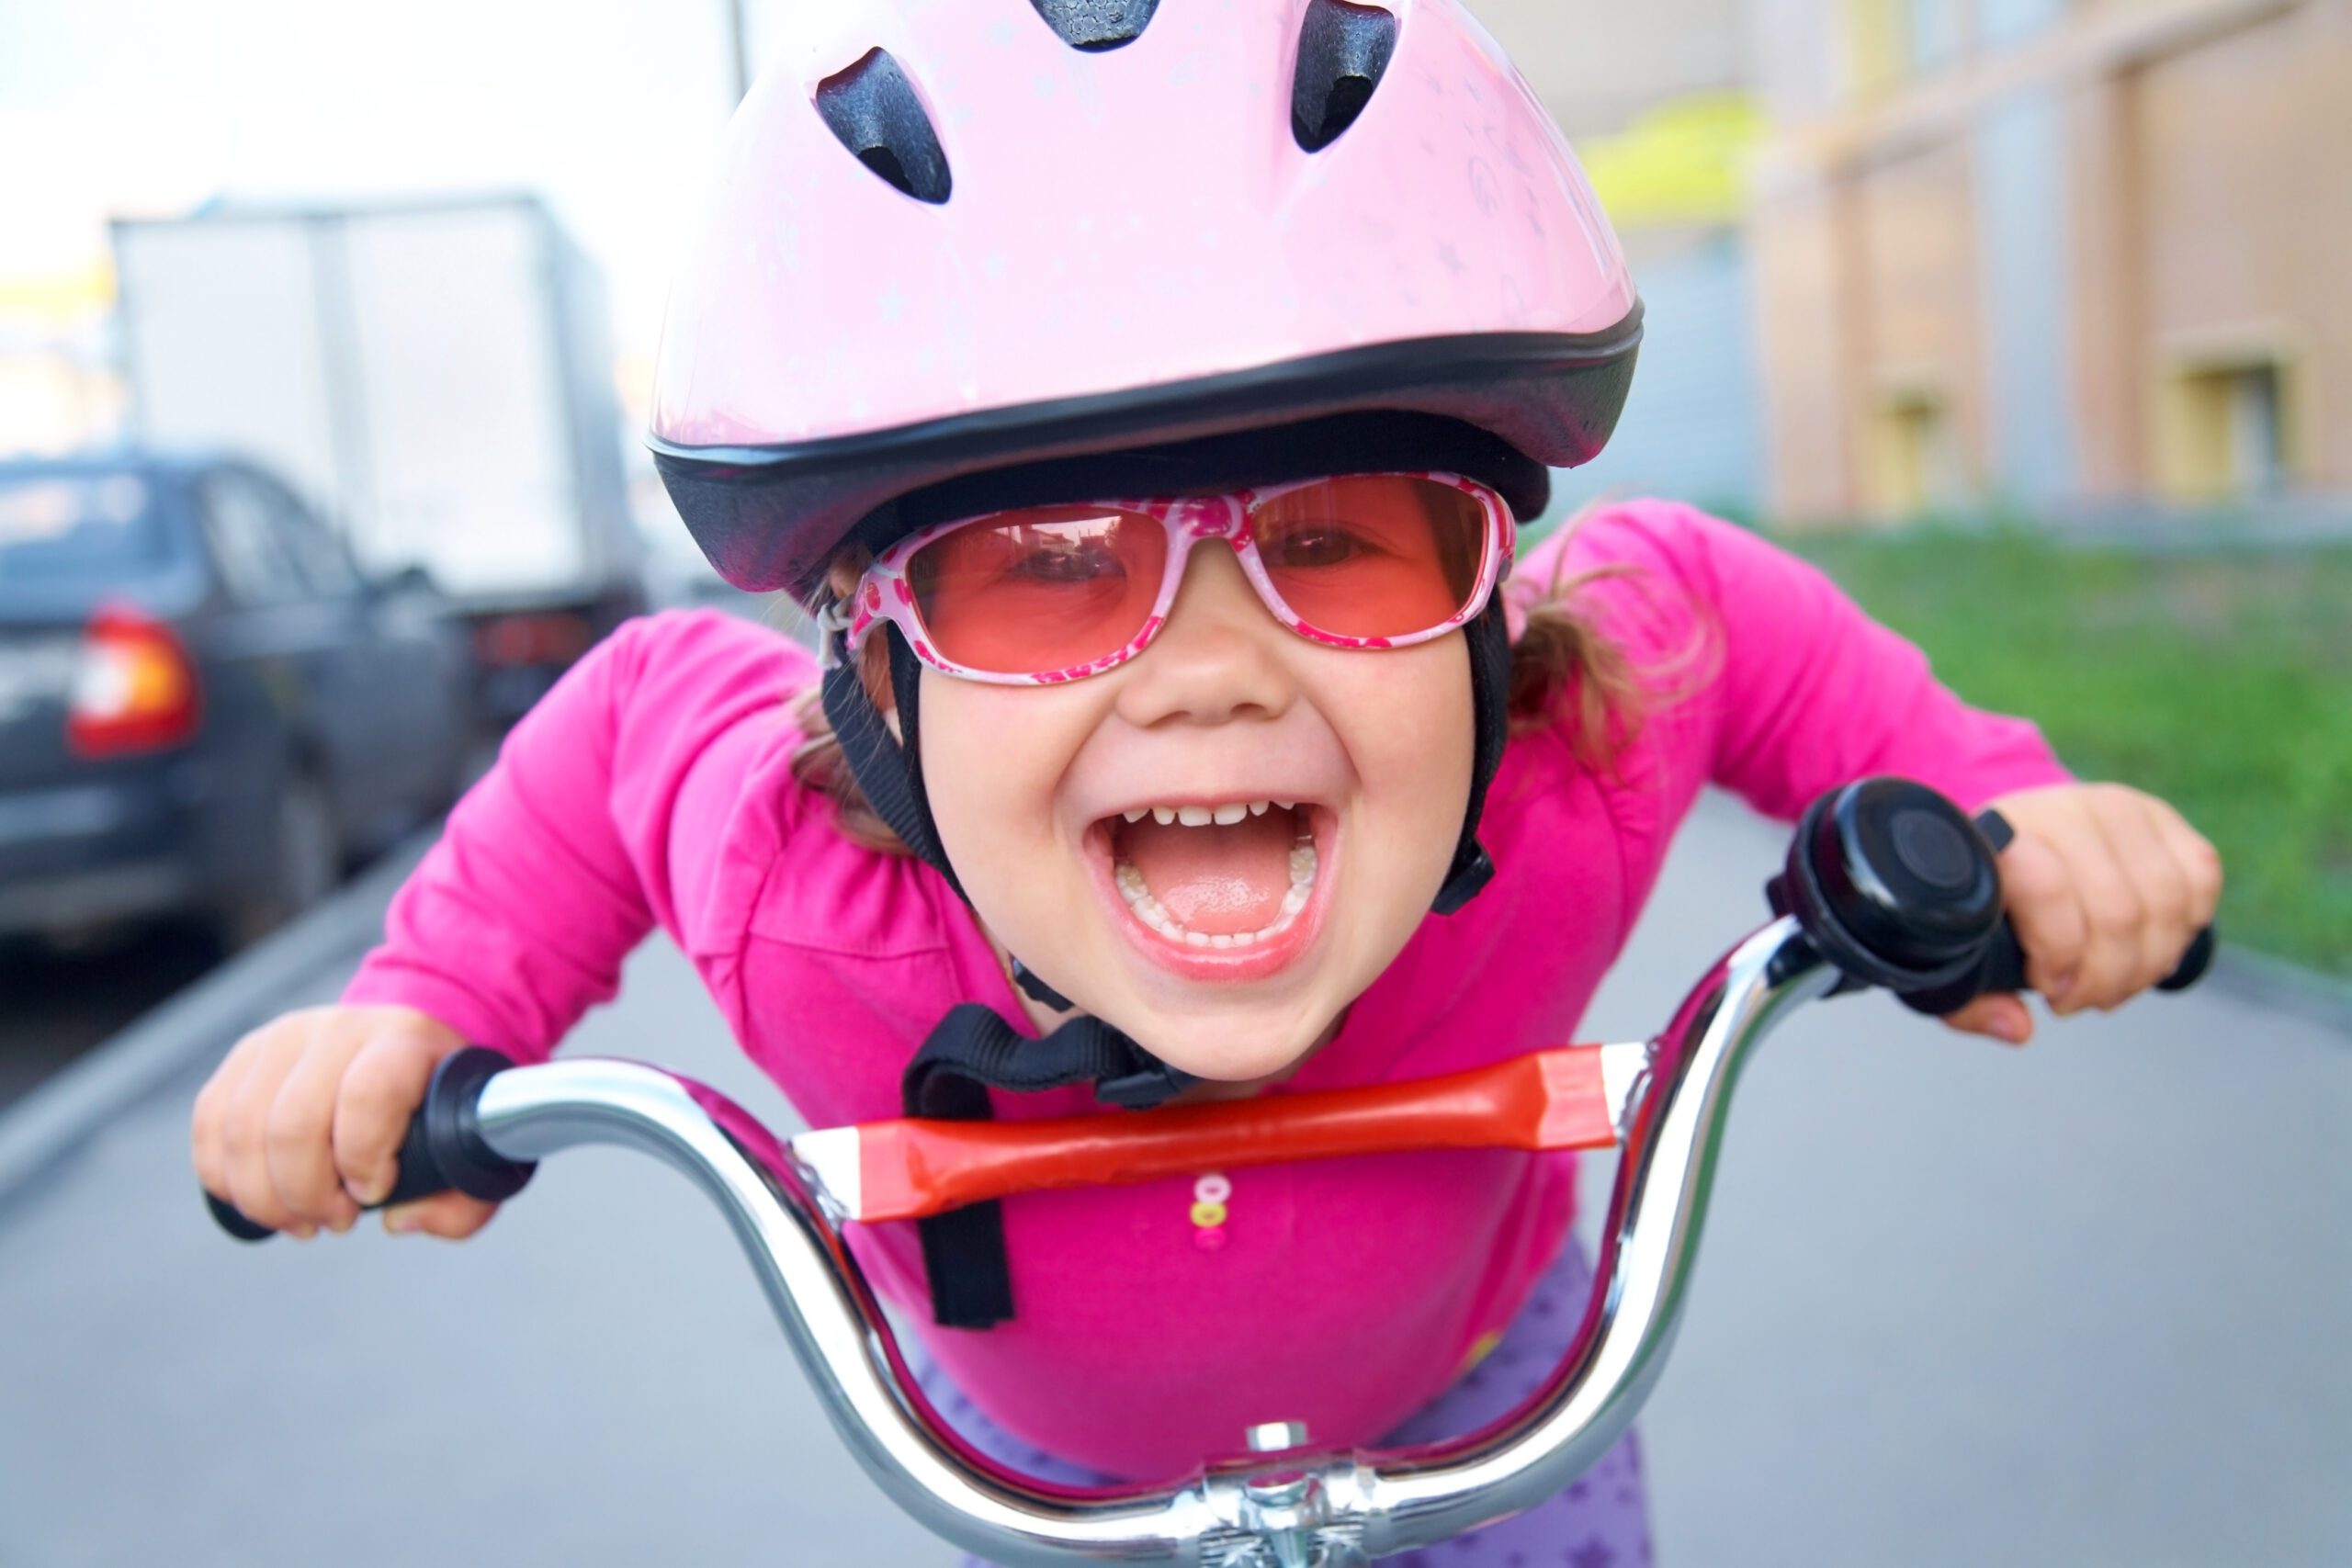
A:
1041	591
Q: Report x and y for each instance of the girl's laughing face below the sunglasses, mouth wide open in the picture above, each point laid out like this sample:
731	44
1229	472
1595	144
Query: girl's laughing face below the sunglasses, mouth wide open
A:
1222	946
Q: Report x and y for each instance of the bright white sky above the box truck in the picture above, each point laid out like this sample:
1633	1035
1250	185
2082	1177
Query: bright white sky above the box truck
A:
152	107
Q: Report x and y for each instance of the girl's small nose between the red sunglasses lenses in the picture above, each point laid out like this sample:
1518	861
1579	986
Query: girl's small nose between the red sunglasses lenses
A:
1220	655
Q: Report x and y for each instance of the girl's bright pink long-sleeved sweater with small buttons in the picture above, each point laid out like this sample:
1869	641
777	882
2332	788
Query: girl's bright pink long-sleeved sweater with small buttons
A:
653	789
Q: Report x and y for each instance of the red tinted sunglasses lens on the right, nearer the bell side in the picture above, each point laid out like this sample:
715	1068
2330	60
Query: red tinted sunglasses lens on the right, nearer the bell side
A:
1372	556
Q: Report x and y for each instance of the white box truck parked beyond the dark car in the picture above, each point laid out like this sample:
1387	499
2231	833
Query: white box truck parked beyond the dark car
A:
434	377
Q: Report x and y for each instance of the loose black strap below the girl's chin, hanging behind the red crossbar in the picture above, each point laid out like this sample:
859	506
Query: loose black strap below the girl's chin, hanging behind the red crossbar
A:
968	1054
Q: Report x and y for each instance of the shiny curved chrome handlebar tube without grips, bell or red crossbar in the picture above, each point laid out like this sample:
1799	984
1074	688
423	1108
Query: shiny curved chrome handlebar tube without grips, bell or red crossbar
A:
1290	1510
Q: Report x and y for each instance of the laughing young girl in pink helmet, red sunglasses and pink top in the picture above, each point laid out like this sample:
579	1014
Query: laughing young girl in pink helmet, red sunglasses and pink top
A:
1144	403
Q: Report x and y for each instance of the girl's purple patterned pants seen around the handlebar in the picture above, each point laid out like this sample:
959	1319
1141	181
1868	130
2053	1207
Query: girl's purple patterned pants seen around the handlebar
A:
1596	1525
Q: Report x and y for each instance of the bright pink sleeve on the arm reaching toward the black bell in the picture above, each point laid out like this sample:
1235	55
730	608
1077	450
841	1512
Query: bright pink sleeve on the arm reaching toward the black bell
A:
1796	690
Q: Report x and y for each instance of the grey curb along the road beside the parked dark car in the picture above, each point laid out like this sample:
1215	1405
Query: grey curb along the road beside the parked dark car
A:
55	1120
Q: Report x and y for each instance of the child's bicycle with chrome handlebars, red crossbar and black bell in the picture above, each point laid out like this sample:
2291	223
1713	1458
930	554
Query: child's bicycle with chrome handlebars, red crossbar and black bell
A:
1887	885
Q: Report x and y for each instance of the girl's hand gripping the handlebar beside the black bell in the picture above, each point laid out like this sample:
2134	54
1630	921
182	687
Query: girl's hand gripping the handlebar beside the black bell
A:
2106	890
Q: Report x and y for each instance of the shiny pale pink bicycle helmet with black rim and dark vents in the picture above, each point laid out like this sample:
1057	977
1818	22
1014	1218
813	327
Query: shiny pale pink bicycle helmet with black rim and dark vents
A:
961	236
